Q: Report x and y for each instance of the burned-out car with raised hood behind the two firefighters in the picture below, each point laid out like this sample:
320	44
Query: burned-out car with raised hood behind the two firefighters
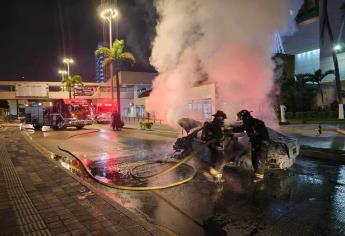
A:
282	154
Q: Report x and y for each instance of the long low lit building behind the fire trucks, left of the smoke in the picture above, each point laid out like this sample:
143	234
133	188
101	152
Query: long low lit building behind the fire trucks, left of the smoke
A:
132	84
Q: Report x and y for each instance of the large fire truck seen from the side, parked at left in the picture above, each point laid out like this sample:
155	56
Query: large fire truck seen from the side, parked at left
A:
60	114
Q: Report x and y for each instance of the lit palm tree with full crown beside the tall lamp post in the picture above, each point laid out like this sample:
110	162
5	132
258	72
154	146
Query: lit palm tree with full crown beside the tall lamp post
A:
115	54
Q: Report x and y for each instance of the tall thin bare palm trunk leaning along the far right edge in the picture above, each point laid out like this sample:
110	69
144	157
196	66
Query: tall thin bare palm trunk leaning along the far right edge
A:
326	25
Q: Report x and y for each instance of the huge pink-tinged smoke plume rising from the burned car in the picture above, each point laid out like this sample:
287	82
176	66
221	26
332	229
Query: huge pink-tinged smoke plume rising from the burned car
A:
223	42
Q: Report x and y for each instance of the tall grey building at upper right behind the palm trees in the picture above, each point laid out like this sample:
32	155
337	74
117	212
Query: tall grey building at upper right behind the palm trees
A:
312	50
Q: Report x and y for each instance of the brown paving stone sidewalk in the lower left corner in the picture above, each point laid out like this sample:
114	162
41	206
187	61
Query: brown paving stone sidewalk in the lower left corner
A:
39	198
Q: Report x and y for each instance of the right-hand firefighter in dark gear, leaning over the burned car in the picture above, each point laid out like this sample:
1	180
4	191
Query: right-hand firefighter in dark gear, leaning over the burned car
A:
259	139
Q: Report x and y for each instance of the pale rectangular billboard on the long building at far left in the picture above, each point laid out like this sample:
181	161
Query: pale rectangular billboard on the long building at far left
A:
32	90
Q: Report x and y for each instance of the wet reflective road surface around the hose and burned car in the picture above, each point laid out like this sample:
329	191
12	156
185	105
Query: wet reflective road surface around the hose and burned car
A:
308	199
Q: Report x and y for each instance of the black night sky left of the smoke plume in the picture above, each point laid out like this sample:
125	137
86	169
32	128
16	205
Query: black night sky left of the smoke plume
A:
36	34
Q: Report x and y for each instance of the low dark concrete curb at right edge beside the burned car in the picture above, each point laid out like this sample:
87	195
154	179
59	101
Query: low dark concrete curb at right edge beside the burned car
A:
324	154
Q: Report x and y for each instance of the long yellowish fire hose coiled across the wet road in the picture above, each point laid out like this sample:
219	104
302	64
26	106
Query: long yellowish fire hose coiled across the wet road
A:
132	170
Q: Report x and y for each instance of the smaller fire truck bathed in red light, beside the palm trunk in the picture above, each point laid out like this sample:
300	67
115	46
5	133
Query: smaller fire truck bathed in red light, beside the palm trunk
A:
103	110
